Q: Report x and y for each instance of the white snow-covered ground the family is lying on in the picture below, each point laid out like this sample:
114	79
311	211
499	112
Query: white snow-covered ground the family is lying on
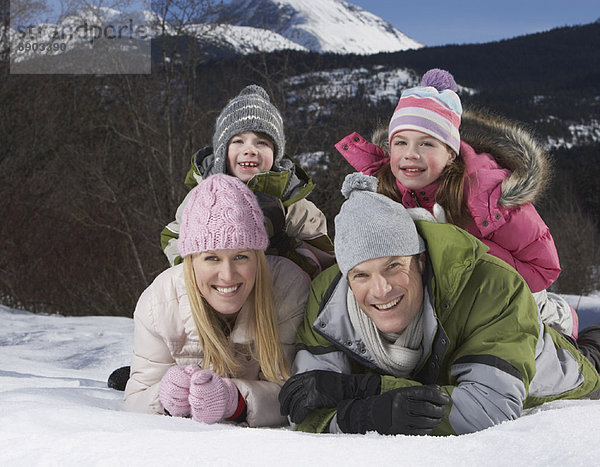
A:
55	410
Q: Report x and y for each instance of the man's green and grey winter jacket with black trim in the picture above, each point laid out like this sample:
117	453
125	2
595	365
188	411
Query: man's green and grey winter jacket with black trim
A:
483	342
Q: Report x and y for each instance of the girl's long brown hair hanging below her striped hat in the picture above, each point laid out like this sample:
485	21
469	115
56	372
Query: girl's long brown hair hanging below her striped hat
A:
450	192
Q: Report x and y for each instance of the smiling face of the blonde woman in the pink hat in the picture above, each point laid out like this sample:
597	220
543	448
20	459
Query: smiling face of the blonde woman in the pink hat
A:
225	278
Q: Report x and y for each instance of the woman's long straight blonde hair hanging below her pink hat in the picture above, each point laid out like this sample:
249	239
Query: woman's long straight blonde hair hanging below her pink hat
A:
218	354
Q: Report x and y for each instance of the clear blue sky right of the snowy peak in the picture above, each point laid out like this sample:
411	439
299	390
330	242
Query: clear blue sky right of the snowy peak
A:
438	22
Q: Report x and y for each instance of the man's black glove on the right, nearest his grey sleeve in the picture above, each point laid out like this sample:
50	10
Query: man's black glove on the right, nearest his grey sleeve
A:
415	410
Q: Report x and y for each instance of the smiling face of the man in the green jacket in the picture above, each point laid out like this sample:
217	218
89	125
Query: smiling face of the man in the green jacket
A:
389	290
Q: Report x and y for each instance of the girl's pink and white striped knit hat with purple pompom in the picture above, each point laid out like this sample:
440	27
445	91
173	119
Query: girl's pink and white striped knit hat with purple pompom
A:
433	108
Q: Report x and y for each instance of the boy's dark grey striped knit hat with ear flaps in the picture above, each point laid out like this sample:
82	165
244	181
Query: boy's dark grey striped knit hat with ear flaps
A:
250	110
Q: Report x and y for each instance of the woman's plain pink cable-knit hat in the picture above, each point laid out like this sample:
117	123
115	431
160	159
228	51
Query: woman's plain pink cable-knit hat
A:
222	213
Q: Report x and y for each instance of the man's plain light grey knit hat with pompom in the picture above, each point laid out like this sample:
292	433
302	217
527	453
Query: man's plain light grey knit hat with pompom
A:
371	225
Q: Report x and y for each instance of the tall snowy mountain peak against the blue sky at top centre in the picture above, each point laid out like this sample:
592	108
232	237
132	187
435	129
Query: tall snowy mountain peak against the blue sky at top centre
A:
319	25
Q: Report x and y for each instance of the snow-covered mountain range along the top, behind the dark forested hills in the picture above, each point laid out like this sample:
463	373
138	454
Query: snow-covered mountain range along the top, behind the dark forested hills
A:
240	27
